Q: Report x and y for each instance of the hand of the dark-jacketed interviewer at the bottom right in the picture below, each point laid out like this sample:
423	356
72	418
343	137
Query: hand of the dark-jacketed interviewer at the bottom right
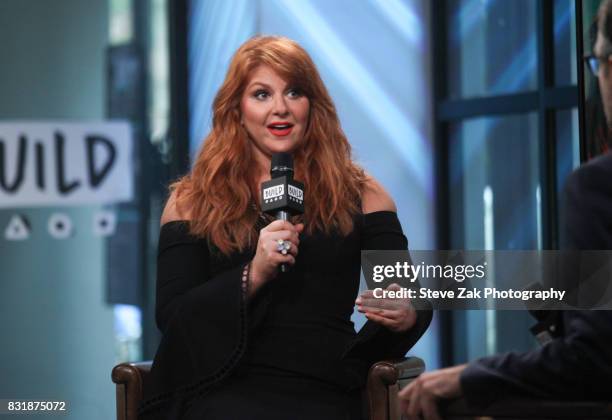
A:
419	399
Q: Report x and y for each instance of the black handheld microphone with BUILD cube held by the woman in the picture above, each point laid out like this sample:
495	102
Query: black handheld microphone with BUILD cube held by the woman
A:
282	196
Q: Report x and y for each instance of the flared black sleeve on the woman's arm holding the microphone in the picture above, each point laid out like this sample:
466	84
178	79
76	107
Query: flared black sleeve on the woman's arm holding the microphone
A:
202	316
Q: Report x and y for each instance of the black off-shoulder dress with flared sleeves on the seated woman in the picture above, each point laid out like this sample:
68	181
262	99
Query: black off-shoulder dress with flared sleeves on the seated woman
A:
291	352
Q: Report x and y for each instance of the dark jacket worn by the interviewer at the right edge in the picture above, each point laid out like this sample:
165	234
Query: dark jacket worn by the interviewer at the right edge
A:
576	365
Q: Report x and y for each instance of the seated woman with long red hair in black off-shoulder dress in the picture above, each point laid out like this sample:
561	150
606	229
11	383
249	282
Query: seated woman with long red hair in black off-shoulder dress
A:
240	339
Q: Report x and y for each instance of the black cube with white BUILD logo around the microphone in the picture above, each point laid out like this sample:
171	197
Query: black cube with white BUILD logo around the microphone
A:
282	194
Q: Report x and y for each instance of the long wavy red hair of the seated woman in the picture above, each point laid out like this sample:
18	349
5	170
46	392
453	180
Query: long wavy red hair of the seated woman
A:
220	190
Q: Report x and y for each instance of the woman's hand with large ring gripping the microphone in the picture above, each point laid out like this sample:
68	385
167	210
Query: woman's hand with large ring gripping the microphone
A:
264	265
